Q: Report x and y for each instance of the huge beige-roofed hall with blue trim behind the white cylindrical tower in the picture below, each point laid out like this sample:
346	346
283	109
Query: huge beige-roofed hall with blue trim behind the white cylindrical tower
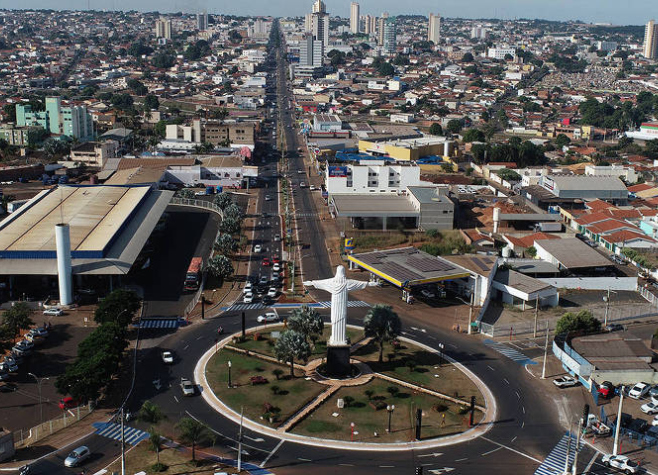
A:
109	226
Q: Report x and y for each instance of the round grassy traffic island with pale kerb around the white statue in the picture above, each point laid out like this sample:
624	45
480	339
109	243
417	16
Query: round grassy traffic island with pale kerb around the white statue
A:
379	407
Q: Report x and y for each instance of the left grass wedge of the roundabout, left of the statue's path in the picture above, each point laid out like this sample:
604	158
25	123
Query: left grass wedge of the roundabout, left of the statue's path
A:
293	393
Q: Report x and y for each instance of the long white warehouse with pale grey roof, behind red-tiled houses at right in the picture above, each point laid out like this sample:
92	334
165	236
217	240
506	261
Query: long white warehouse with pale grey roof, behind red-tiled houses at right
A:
608	188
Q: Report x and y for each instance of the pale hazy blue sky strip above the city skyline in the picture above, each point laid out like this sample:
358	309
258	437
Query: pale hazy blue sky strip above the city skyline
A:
603	11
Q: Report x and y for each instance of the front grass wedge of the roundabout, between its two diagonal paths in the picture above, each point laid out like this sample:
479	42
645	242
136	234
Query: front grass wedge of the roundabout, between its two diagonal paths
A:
368	420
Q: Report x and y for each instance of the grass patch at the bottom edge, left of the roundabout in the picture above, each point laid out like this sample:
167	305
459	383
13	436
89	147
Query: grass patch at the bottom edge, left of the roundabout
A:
141	458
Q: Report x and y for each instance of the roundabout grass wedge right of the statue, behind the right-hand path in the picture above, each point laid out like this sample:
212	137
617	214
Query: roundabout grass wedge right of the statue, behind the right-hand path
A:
429	372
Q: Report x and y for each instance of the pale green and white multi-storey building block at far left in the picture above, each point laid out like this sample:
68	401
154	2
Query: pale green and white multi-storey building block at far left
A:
71	121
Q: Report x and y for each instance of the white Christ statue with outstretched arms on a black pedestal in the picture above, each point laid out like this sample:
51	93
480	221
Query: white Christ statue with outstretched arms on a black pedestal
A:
337	348
